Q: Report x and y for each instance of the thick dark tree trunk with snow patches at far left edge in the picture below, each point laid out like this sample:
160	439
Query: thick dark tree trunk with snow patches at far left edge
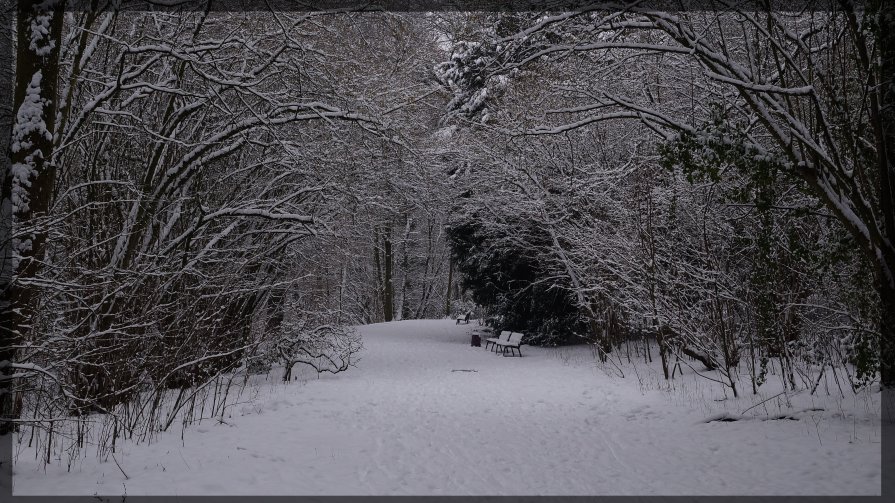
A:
27	187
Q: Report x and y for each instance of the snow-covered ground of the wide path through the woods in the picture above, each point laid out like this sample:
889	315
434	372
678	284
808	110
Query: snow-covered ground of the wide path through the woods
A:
408	420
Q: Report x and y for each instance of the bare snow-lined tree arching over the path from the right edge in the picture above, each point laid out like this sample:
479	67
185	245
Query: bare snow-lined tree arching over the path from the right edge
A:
801	86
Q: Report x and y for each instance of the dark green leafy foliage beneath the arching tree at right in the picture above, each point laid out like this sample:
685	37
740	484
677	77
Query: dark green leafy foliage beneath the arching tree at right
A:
788	253
